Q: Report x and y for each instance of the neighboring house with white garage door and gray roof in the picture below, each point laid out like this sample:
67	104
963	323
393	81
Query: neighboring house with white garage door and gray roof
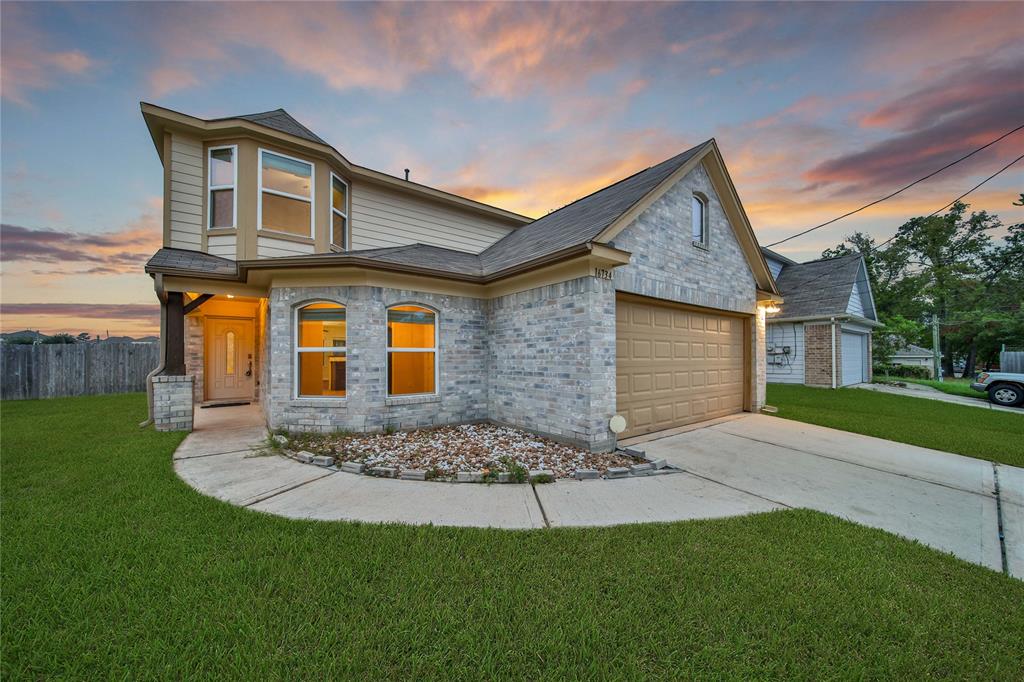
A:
822	334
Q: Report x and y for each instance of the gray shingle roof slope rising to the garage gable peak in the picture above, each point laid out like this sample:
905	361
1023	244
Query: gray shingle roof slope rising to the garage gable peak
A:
580	222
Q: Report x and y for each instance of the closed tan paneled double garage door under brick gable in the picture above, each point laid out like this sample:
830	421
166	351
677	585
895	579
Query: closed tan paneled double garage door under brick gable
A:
676	366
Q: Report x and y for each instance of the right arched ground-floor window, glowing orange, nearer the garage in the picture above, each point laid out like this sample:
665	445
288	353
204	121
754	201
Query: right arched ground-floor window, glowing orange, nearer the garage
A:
412	351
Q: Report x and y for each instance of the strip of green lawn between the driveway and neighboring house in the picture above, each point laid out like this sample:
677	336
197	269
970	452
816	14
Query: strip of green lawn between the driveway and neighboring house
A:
989	435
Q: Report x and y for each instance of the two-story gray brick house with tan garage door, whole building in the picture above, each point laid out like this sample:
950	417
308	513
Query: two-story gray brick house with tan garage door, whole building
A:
340	297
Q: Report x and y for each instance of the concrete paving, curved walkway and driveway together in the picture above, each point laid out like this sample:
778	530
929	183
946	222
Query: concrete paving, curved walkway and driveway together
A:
740	466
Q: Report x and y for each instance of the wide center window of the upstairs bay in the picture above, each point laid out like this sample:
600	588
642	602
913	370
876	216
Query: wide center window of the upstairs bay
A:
286	194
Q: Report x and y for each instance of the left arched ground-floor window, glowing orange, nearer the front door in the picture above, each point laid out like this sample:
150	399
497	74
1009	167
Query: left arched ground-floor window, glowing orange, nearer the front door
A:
320	351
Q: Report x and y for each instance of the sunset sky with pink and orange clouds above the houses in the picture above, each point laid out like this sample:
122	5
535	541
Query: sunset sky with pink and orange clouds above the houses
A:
818	109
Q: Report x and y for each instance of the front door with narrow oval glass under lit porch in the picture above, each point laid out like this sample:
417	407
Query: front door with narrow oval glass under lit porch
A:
230	370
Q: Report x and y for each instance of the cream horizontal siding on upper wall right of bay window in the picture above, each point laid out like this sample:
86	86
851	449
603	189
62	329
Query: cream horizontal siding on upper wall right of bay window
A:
386	219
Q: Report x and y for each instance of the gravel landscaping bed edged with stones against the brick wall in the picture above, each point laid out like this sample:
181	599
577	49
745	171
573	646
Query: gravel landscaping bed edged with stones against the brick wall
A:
446	451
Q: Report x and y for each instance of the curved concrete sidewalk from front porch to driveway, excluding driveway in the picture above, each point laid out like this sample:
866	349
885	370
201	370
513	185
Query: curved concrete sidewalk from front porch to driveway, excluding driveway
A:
221	459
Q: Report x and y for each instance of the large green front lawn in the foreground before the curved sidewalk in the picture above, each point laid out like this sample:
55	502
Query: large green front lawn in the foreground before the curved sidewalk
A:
115	569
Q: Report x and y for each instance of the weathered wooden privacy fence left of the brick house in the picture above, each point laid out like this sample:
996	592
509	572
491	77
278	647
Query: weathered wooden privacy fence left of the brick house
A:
45	371
